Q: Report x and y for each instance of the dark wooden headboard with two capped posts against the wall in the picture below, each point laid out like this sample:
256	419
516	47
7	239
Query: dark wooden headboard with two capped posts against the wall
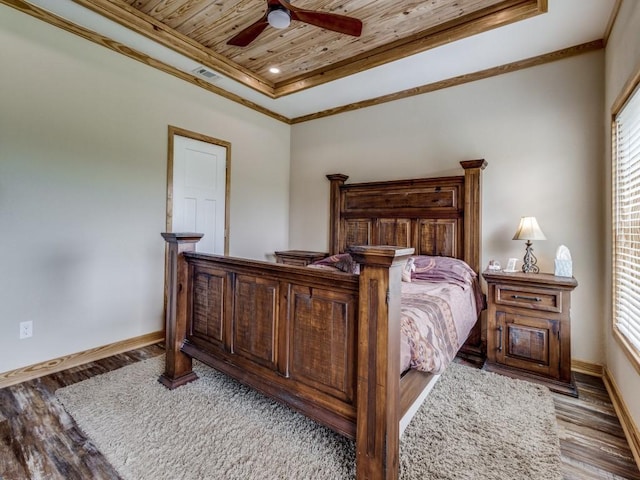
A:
435	216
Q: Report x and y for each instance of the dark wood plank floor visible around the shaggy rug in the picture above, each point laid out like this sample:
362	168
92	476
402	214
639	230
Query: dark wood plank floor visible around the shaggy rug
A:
38	440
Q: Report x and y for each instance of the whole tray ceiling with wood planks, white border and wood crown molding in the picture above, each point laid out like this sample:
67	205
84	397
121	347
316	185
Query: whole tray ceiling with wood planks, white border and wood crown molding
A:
406	48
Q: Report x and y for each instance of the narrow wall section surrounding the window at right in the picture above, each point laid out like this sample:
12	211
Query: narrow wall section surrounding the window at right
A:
622	63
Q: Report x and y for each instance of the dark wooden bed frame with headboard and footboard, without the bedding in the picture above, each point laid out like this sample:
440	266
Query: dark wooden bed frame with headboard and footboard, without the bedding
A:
326	344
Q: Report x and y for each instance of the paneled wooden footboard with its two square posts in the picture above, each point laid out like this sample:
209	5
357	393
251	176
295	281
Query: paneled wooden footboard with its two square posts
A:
325	344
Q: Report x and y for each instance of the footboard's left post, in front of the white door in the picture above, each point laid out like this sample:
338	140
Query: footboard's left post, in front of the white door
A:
177	365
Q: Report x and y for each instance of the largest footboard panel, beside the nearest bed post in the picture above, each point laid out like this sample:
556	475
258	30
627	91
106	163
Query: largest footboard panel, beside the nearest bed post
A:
322	334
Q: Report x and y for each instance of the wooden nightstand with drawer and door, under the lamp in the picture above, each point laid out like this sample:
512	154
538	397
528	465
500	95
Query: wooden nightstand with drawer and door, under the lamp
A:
529	327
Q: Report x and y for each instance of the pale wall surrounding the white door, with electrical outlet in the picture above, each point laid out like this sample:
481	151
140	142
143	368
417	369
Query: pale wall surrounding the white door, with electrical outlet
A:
83	156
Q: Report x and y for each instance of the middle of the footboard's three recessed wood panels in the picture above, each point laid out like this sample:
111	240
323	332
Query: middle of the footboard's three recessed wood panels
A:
255	298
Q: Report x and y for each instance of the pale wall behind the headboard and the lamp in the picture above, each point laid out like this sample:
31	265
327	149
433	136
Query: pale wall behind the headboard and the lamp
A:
540	130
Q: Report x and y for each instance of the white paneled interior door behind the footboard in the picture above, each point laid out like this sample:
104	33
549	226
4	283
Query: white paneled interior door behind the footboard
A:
199	191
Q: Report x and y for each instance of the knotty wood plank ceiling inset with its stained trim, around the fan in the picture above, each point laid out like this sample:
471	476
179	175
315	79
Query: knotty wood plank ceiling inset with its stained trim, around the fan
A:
306	55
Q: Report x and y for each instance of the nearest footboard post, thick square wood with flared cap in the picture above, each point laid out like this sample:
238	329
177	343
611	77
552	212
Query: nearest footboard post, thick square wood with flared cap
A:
378	375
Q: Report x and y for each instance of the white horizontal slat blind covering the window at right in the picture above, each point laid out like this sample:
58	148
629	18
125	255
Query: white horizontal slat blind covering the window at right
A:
626	217
